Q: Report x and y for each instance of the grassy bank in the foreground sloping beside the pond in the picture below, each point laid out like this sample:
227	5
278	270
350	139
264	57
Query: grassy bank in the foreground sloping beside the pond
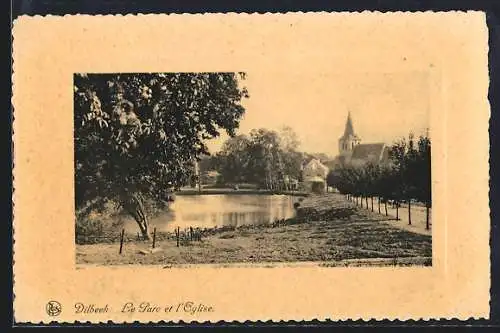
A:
317	235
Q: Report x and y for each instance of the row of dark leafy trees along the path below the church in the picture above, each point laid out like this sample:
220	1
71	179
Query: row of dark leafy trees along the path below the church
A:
407	177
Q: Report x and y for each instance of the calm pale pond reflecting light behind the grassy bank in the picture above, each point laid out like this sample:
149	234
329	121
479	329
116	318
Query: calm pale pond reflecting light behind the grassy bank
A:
207	211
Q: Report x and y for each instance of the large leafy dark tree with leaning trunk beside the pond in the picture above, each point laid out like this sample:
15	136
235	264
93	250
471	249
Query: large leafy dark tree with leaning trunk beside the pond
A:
137	136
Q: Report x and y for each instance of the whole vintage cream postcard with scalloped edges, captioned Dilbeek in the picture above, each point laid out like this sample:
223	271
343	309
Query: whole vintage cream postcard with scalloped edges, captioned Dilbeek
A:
234	167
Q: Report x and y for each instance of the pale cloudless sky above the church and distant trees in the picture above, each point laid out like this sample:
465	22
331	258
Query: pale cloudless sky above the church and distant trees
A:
384	106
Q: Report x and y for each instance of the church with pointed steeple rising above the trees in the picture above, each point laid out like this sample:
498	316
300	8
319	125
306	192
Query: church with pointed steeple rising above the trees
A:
352	151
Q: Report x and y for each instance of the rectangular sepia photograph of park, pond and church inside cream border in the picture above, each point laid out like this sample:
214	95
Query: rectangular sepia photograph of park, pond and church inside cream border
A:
253	168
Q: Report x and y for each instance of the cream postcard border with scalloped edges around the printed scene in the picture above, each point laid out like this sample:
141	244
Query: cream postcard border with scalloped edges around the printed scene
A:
48	50
